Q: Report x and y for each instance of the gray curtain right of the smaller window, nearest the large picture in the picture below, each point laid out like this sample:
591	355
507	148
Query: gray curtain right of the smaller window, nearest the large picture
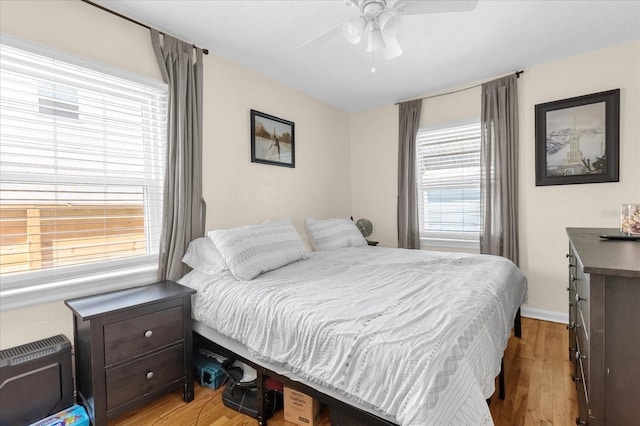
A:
499	168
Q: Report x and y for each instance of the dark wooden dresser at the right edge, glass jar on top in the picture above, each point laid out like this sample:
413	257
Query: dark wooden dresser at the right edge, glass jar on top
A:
604	326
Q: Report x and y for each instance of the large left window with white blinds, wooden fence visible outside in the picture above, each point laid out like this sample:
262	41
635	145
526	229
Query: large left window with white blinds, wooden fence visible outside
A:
82	151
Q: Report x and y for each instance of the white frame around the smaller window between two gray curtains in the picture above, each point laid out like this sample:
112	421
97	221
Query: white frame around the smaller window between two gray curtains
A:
452	241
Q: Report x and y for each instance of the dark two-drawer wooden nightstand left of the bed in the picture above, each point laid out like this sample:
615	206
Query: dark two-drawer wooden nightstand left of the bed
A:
132	346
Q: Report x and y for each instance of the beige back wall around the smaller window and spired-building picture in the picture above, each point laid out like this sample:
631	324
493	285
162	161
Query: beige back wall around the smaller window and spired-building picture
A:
544	211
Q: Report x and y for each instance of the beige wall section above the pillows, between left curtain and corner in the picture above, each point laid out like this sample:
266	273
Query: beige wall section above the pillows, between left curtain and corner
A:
239	192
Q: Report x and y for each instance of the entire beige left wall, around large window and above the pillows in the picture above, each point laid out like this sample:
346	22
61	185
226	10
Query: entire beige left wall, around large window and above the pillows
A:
237	192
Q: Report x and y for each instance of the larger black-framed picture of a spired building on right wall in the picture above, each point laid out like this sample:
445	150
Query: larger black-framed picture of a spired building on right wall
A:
577	139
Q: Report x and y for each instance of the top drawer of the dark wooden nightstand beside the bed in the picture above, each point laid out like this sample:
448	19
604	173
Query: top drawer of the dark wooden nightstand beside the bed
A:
139	335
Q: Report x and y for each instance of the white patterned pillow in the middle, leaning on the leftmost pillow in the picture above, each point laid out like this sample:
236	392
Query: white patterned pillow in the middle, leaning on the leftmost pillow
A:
251	250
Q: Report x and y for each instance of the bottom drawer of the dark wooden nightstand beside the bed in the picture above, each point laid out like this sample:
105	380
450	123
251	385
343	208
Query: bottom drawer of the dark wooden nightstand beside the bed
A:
138	378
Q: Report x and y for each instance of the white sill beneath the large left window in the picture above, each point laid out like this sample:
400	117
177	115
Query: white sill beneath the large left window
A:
23	297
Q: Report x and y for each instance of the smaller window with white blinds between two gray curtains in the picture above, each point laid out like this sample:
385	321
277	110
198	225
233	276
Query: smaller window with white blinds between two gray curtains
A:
448	173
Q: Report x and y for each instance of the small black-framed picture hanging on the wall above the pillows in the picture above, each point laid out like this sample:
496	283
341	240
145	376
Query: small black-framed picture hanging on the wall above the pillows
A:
272	140
